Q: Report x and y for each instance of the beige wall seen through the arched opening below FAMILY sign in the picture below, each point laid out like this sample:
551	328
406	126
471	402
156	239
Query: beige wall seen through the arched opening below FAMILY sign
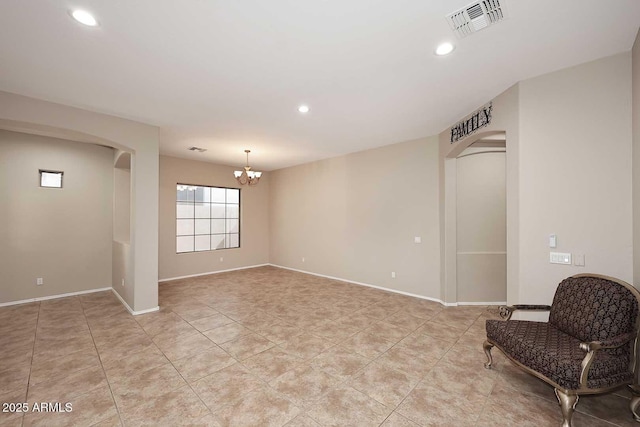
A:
481	226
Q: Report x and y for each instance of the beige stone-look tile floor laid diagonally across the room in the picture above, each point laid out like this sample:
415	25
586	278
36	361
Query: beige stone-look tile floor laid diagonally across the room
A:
270	347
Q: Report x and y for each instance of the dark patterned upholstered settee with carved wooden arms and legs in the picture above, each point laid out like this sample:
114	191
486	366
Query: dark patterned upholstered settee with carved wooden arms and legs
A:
589	345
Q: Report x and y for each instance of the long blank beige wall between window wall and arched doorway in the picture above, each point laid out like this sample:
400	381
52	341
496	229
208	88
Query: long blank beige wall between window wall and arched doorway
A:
355	217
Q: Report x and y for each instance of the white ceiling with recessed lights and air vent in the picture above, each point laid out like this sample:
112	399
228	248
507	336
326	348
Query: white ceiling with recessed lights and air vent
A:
227	75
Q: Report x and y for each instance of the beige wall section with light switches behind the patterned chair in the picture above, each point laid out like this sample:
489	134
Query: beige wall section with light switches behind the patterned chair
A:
575	173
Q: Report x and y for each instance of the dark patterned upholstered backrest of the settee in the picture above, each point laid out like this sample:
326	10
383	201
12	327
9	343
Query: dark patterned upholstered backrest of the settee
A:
594	308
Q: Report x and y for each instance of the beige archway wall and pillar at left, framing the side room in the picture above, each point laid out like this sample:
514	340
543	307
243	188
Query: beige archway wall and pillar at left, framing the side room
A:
136	234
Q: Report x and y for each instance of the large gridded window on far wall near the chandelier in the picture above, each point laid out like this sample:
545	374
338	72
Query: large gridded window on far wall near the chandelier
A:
207	218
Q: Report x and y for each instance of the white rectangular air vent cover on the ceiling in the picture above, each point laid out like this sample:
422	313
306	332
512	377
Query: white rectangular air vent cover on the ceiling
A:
476	16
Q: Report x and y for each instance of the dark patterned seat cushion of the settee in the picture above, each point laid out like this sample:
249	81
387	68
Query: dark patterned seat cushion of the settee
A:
545	349
